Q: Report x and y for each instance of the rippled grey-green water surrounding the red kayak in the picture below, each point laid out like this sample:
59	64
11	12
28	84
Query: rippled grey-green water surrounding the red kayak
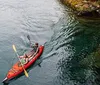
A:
67	40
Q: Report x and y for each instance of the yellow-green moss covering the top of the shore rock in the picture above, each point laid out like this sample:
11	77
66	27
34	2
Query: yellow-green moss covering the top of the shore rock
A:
82	5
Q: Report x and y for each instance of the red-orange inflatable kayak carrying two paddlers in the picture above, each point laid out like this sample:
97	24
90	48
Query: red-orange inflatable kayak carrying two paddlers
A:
17	69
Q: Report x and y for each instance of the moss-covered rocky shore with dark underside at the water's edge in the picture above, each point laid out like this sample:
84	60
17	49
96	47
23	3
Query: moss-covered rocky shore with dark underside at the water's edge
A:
84	7
